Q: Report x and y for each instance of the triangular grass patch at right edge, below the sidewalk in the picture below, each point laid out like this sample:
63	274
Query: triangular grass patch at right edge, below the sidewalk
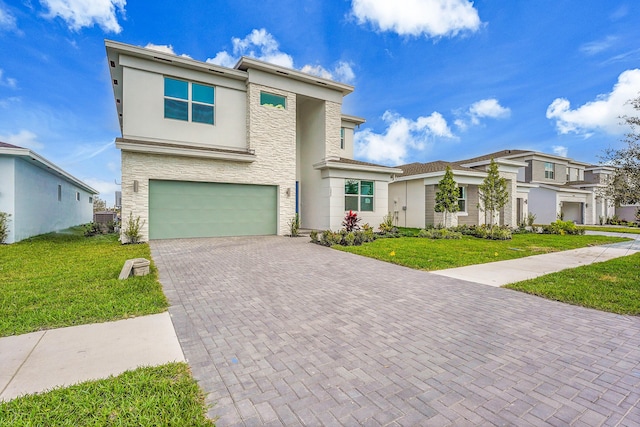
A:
612	286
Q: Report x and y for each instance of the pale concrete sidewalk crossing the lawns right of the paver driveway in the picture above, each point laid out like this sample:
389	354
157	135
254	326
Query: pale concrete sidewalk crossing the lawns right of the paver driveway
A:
504	272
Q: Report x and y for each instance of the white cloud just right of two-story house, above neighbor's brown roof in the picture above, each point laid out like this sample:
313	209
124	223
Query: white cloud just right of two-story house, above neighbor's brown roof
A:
401	135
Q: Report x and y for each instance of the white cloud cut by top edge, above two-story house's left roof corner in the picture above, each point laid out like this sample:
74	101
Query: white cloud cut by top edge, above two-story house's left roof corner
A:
86	13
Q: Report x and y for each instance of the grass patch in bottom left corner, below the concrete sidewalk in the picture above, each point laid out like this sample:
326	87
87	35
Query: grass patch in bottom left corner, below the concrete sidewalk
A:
159	396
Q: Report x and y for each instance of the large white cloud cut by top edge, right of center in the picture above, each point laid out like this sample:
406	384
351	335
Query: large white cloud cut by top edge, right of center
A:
433	18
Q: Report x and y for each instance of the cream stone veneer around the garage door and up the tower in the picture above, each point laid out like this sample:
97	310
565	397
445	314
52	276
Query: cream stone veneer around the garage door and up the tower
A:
271	134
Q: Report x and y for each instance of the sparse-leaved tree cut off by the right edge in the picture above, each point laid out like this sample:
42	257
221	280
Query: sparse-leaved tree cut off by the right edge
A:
623	186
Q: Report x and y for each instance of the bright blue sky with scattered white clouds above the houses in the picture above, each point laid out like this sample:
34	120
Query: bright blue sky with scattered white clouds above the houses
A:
435	79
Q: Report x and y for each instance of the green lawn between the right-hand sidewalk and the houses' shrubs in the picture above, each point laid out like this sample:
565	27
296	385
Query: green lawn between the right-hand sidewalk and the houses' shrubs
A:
428	254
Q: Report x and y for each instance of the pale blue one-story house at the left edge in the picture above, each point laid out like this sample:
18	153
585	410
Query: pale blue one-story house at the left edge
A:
39	196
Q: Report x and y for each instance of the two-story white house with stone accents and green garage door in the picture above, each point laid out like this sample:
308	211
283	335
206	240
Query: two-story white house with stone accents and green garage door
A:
215	151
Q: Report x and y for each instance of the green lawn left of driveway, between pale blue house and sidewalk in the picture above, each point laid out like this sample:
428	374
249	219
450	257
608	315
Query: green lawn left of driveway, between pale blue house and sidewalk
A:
65	279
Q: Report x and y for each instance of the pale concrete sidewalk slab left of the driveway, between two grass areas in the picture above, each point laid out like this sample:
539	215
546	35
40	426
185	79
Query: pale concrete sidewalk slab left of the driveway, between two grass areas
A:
39	361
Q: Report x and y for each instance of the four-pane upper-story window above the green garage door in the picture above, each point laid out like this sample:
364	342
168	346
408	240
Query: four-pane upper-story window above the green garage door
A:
188	101
